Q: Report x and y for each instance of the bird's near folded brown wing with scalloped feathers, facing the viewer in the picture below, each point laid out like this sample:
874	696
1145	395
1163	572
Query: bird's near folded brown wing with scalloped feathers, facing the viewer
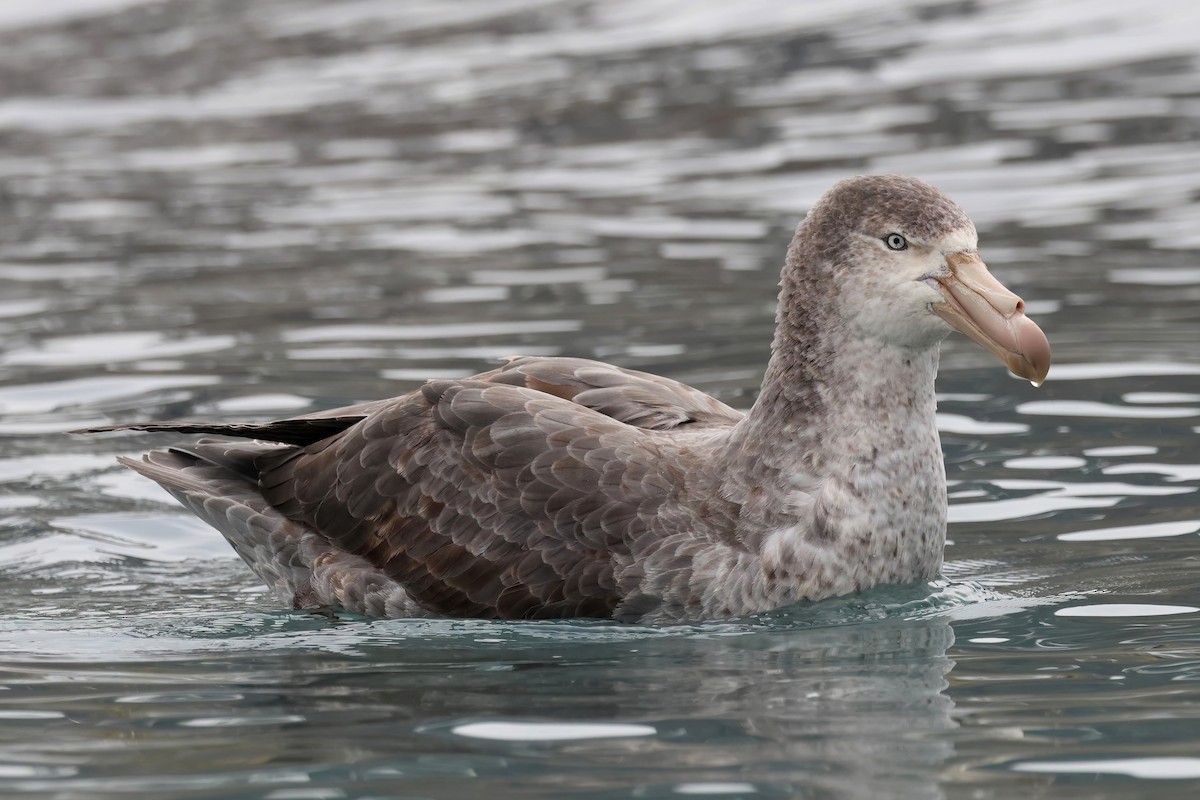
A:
482	500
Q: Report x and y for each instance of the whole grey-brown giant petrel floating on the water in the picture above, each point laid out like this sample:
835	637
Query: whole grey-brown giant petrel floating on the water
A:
565	488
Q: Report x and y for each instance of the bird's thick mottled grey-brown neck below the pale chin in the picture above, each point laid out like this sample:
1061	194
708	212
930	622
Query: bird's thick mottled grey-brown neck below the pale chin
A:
850	419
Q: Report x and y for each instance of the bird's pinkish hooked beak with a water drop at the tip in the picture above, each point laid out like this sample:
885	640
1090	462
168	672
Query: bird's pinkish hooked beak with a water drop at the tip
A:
981	306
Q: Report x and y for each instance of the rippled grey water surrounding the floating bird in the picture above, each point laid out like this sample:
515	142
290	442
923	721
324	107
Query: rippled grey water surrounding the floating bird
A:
244	210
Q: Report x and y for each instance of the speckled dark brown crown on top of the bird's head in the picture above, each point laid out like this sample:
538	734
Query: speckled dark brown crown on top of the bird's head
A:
869	203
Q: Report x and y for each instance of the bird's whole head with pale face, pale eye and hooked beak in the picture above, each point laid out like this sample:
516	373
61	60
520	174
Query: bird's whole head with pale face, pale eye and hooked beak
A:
904	261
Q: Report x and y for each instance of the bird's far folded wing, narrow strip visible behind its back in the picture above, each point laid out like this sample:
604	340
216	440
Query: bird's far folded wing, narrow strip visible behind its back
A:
633	398
